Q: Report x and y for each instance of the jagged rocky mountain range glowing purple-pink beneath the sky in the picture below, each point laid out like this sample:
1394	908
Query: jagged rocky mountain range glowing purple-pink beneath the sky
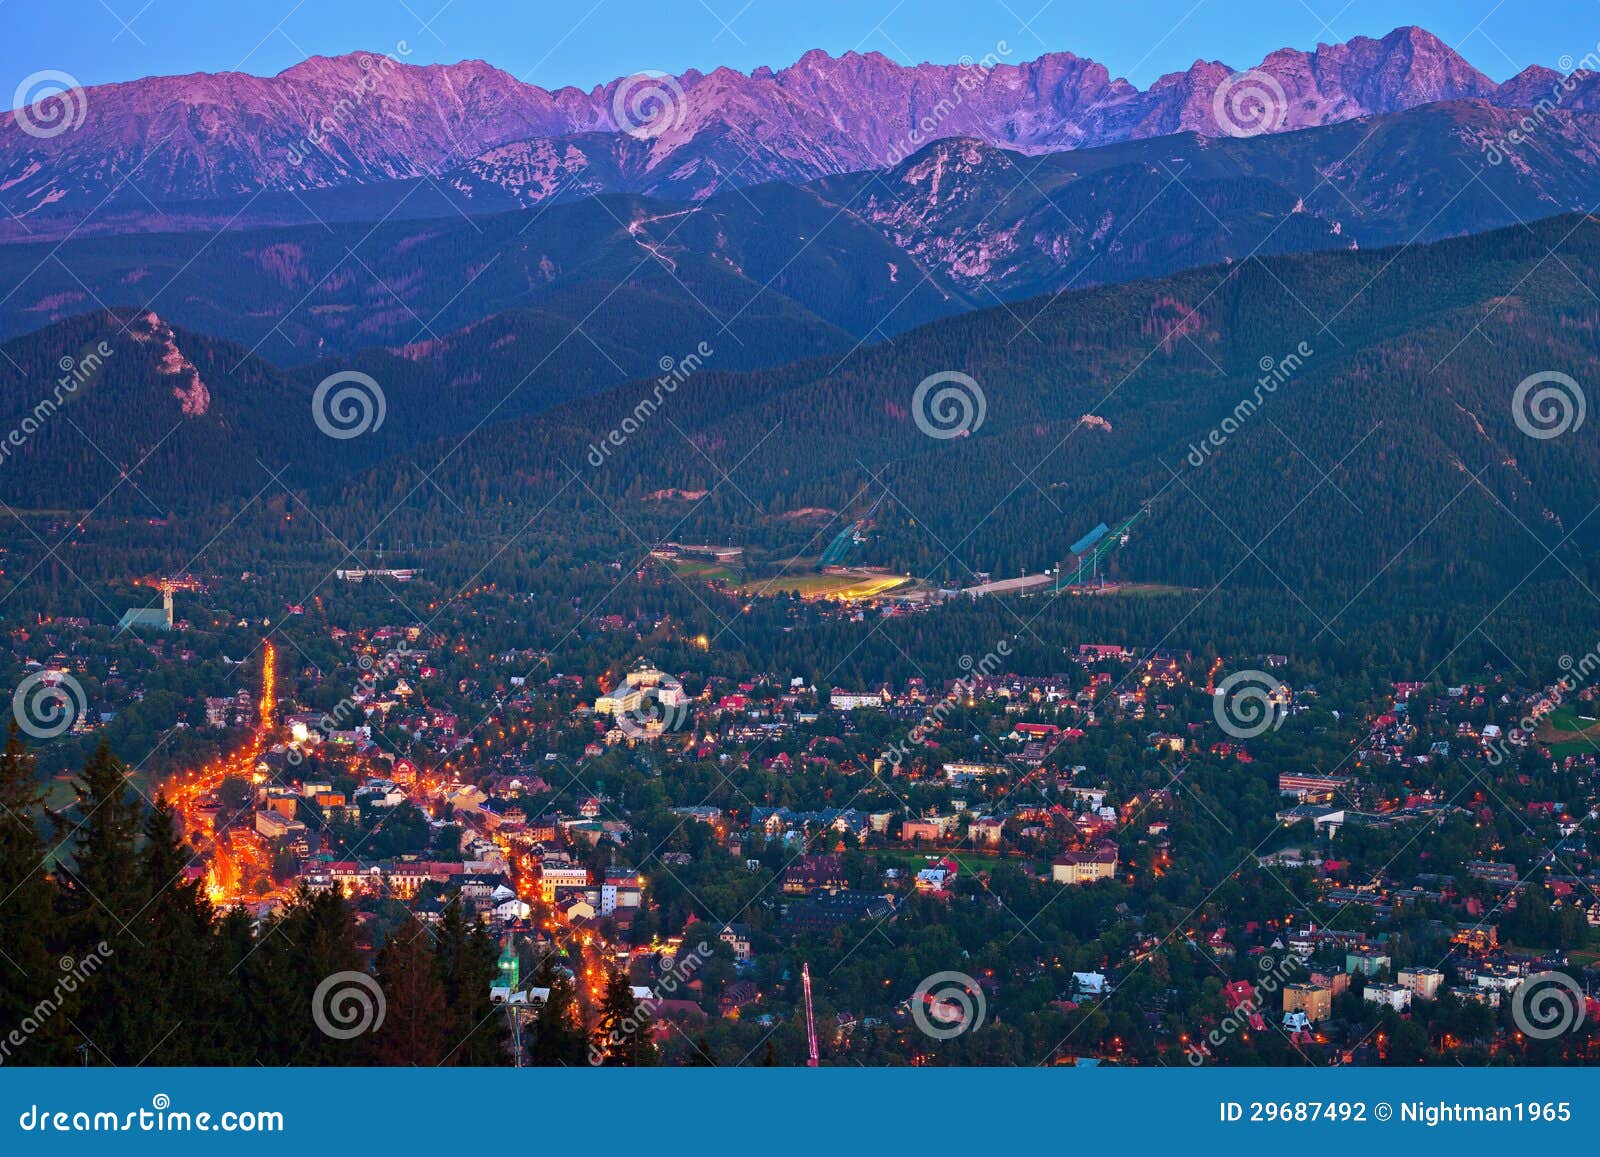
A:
481	135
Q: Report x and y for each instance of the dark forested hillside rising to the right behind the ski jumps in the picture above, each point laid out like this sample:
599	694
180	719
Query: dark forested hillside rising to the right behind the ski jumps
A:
1386	450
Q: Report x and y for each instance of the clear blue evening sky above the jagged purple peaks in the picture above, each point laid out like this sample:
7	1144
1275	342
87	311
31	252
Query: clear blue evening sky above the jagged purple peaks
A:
586	42
